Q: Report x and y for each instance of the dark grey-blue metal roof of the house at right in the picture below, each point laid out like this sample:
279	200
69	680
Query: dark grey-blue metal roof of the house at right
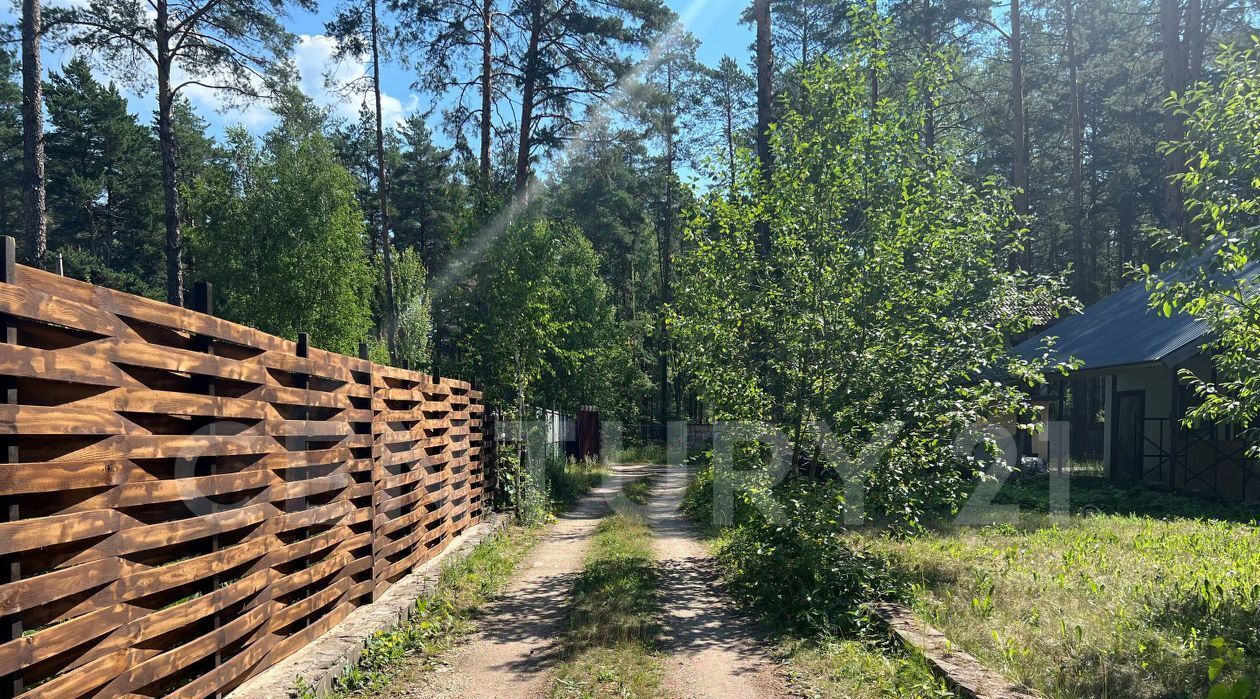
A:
1123	331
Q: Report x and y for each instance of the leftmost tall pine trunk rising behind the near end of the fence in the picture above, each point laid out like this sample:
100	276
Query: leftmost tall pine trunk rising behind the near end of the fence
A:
35	208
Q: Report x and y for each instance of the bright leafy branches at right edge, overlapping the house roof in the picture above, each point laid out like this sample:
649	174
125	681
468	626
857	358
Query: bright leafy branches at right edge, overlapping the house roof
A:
1219	281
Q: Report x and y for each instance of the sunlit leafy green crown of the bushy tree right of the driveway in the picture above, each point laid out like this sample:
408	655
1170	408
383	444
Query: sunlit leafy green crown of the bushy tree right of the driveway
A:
866	285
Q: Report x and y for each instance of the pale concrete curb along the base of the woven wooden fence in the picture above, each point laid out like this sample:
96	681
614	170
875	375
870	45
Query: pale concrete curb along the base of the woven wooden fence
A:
319	664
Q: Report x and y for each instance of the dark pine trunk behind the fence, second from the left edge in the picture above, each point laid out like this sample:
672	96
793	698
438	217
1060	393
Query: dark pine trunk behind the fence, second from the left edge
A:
169	167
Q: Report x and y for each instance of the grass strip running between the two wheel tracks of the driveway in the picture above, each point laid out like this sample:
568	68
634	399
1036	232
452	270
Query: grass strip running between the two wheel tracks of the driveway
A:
610	643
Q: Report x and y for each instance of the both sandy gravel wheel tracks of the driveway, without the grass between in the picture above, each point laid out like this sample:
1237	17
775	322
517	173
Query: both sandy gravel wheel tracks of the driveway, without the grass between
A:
710	651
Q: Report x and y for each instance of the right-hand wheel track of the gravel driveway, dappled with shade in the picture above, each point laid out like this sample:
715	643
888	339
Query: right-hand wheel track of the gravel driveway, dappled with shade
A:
713	652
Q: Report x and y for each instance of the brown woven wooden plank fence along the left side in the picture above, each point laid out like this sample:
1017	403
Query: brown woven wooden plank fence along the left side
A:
185	502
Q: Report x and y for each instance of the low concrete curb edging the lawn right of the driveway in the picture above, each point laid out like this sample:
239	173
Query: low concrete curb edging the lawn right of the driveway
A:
961	669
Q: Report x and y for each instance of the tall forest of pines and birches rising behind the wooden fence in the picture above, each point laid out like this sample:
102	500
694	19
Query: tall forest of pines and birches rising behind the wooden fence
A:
531	245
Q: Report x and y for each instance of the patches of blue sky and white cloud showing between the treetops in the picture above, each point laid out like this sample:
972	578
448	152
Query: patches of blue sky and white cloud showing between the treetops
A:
714	22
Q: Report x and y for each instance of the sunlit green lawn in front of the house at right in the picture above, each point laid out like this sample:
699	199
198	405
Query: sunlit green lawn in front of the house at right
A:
1121	606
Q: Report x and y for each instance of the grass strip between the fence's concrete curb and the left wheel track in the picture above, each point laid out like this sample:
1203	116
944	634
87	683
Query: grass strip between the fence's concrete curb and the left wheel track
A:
444	618
